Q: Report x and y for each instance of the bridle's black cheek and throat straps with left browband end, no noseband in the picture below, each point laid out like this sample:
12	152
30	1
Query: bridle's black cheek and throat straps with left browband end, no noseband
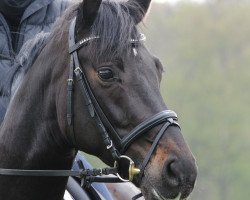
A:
89	98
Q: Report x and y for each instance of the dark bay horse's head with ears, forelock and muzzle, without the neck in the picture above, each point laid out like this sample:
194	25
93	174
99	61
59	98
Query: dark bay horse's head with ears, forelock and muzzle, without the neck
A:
122	80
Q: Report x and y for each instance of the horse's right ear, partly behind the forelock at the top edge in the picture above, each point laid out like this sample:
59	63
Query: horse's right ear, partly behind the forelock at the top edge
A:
138	9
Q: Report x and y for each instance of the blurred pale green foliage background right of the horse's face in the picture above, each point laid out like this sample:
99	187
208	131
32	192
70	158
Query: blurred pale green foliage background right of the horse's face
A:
205	49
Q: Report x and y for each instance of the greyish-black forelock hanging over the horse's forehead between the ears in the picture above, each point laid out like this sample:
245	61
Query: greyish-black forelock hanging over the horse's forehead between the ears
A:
116	27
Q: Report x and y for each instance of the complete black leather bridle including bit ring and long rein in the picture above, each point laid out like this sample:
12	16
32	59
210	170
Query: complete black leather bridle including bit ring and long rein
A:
120	145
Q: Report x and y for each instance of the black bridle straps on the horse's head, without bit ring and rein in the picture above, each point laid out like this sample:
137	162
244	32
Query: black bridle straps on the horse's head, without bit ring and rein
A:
107	131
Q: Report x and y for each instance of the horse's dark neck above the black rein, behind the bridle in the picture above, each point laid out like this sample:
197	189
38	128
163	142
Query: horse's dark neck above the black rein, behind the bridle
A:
30	133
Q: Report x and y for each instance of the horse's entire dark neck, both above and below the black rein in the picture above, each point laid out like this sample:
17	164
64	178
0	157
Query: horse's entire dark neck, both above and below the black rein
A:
30	136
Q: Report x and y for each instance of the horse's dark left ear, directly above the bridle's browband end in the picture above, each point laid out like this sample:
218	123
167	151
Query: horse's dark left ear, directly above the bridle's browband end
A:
87	12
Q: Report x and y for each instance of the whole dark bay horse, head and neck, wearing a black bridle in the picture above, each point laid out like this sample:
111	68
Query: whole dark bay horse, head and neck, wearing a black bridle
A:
107	87
